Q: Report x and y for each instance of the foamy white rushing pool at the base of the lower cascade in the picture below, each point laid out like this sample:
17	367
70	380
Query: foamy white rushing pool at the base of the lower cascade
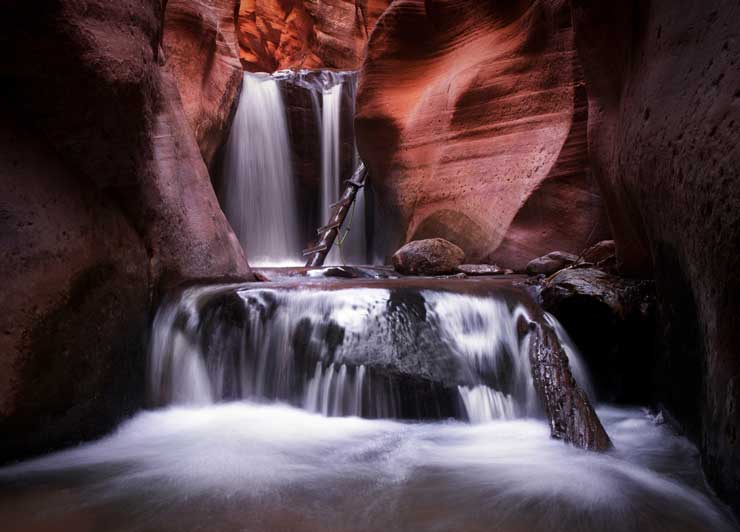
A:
258	467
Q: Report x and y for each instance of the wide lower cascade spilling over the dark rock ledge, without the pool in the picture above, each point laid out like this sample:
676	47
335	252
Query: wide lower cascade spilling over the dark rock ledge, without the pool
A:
380	352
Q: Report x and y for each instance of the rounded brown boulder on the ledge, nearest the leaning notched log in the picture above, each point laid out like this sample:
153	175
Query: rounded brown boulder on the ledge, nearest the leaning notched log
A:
434	256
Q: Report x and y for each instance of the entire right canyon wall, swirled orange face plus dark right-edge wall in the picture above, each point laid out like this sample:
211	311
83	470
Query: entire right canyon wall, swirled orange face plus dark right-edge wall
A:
482	122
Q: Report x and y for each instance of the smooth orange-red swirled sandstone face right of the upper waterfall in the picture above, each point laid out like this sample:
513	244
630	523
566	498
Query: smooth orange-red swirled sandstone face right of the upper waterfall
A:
471	117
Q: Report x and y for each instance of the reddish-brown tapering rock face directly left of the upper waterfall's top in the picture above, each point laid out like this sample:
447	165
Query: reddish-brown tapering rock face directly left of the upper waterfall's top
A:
202	52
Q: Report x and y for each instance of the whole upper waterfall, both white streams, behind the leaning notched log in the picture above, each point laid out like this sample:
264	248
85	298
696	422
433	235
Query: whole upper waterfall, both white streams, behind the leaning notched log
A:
290	148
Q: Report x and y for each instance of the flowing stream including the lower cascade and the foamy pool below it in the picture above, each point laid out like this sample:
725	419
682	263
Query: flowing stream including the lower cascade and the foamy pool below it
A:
357	406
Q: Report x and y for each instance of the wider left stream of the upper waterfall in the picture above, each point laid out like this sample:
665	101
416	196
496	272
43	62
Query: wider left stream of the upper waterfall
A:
258	193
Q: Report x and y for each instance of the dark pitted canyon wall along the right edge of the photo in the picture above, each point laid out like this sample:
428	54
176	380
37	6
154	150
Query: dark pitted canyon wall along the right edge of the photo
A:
664	118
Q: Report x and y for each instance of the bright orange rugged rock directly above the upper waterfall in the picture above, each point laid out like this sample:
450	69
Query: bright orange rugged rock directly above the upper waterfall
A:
280	34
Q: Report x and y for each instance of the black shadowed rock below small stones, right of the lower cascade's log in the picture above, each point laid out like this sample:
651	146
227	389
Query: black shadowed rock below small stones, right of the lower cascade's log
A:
612	321
